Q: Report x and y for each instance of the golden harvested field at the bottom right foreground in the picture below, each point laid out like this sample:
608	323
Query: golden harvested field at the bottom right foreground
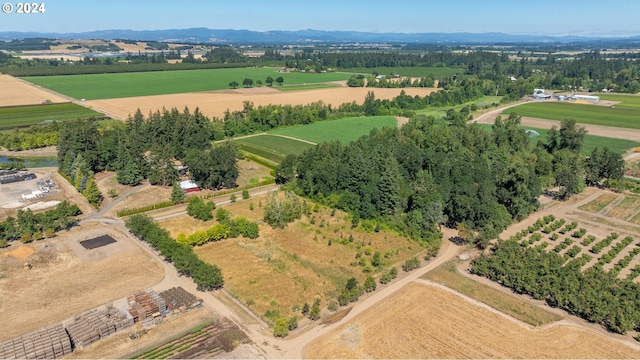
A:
424	321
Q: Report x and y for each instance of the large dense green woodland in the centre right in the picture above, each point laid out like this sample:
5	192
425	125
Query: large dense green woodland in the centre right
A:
426	174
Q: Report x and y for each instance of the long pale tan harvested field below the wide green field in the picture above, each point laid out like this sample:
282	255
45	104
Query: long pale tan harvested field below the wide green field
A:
215	103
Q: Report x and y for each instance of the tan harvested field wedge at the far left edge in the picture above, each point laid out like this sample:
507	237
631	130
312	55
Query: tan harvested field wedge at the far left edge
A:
17	92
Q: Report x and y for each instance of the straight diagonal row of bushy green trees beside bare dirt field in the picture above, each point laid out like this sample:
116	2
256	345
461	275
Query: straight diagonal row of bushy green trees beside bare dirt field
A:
206	276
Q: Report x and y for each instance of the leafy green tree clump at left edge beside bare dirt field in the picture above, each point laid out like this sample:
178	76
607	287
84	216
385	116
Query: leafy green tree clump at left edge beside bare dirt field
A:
28	226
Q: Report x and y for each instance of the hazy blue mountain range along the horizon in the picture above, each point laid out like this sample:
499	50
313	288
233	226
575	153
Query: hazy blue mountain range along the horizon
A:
204	35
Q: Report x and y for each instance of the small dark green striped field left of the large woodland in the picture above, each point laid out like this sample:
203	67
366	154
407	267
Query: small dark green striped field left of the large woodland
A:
272	148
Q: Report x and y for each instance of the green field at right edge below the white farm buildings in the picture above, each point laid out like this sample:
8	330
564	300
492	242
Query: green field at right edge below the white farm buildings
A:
624	116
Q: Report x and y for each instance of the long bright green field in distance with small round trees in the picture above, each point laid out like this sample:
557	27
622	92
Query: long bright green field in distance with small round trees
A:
106	86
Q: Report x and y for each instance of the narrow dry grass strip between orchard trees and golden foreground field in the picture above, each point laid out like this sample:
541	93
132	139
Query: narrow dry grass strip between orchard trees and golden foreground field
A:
448	275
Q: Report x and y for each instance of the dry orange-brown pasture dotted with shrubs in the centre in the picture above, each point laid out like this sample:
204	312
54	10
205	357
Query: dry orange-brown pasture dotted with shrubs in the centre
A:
308	259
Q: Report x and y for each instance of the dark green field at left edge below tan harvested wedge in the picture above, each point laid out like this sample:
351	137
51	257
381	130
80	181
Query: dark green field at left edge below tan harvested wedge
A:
21	116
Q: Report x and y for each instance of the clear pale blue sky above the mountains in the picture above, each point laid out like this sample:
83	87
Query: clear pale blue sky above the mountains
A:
560	17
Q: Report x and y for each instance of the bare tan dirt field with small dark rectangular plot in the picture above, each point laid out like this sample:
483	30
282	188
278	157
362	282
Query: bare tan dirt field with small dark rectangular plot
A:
67	279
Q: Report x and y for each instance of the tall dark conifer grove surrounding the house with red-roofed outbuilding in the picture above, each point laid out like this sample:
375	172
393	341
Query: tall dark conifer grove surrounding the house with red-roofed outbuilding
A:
146	147
